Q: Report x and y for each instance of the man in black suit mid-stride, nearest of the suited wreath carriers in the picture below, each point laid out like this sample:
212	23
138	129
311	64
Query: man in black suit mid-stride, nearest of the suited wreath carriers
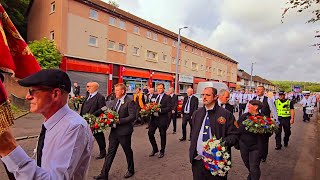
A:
122	133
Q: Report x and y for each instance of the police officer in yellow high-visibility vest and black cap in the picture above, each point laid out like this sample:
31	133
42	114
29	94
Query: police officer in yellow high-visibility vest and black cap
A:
285	112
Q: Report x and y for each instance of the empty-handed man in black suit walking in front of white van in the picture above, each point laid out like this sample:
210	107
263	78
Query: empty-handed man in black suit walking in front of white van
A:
190	105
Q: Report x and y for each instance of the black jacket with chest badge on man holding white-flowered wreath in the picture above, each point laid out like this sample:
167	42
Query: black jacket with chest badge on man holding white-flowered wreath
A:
227	130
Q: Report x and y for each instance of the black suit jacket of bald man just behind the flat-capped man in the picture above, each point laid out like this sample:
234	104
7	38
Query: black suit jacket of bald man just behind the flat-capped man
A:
93	105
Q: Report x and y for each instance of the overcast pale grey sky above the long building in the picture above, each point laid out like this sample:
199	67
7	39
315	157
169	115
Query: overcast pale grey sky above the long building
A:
245	30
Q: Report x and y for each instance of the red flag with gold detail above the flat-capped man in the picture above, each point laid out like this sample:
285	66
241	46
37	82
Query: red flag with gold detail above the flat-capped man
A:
15	55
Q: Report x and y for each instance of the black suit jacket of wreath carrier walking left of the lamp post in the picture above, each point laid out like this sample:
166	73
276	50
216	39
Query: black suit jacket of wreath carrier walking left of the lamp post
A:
165	109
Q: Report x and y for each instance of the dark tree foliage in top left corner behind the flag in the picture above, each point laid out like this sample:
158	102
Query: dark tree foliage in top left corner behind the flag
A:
16	10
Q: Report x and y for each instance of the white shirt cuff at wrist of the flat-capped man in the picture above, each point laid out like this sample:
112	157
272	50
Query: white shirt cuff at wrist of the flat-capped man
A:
15	159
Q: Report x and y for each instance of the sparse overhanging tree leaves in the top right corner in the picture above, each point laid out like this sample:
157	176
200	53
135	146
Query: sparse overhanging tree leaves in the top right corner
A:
302	5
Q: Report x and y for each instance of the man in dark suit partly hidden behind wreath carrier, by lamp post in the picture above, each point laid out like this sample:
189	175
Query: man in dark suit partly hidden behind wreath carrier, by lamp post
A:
174	108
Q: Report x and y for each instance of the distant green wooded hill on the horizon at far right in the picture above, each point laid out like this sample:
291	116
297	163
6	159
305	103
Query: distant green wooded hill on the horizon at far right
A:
288	85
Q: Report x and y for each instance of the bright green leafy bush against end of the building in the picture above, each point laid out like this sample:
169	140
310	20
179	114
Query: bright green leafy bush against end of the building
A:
46	53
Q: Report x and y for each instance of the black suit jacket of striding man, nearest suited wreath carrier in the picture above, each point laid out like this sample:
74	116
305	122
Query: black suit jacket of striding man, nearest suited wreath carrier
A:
127	115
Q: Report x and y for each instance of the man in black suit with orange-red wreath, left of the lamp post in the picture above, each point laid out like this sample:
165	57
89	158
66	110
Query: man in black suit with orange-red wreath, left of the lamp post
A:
160	120
